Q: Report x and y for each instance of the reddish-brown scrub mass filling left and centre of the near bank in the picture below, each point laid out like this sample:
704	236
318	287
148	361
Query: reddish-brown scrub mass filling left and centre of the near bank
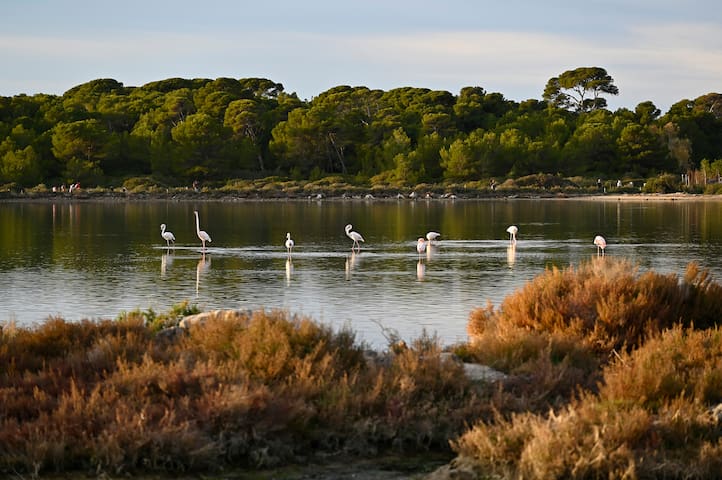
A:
253	390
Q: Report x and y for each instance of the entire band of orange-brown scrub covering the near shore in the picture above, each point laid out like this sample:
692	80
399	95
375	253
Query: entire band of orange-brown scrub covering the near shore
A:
610	373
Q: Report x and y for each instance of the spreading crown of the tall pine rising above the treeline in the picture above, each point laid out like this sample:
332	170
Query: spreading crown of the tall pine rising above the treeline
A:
580	89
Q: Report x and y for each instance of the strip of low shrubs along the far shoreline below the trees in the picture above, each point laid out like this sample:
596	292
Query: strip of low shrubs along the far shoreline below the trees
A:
273	188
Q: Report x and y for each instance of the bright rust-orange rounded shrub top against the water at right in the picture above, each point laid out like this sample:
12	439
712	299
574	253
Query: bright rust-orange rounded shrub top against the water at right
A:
606	304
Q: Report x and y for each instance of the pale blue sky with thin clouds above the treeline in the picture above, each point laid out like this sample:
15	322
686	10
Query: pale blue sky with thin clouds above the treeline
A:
662	51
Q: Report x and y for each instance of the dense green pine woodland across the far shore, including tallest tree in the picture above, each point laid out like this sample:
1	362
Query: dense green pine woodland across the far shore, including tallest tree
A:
180	130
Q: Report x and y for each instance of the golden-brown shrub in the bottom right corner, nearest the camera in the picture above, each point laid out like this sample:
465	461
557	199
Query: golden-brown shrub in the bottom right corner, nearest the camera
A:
657	415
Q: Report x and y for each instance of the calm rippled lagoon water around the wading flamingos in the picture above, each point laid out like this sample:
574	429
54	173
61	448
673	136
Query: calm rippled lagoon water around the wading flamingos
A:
80	259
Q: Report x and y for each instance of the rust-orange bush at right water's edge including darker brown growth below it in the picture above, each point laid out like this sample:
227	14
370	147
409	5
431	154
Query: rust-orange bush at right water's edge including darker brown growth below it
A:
555	333
